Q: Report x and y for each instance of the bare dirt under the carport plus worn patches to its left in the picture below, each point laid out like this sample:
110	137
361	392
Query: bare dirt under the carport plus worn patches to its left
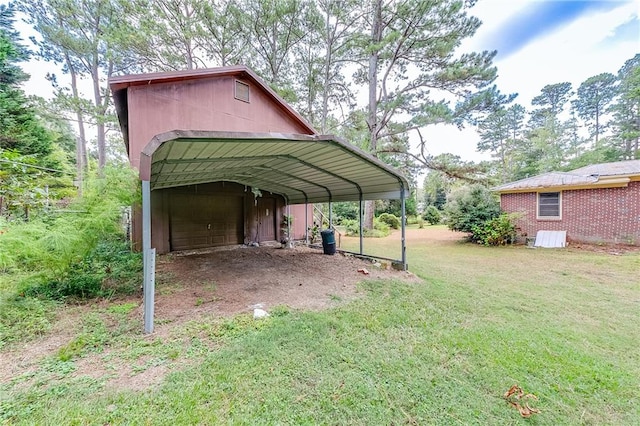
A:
200	285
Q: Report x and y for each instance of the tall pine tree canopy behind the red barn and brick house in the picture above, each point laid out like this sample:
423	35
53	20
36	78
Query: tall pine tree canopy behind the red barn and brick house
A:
377	73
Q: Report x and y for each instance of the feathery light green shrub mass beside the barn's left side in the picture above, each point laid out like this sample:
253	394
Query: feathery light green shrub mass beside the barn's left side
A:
76	251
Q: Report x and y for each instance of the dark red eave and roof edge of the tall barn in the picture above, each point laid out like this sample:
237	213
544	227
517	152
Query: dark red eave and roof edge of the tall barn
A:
120	84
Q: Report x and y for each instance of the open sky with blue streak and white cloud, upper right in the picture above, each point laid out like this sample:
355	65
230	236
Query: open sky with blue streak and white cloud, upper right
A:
542	42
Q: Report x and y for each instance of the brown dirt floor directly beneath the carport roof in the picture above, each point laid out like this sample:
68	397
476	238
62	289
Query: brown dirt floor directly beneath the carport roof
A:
226	282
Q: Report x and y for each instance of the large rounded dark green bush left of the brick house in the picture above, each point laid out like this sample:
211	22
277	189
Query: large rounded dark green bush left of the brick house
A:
470	206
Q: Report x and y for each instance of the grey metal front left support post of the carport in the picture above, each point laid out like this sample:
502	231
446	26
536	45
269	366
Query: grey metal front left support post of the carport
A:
149	259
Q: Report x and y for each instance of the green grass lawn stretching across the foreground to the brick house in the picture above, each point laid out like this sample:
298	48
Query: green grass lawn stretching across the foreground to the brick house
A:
562	324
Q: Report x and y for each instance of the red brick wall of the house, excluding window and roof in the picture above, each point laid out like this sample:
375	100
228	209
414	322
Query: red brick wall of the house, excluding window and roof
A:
588	215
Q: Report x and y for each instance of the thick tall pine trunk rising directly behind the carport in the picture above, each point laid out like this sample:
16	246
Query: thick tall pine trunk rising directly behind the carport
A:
376	35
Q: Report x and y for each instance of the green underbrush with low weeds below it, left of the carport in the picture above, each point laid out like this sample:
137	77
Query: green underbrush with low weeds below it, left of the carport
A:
74	253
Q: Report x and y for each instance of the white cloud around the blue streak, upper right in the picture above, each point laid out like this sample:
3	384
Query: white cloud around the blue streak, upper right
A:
573	53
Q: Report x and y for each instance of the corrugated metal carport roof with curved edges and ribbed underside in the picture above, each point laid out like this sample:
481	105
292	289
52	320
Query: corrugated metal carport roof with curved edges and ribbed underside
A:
302	168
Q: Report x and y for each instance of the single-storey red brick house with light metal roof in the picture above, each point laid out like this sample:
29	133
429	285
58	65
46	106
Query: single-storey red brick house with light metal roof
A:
597	203
